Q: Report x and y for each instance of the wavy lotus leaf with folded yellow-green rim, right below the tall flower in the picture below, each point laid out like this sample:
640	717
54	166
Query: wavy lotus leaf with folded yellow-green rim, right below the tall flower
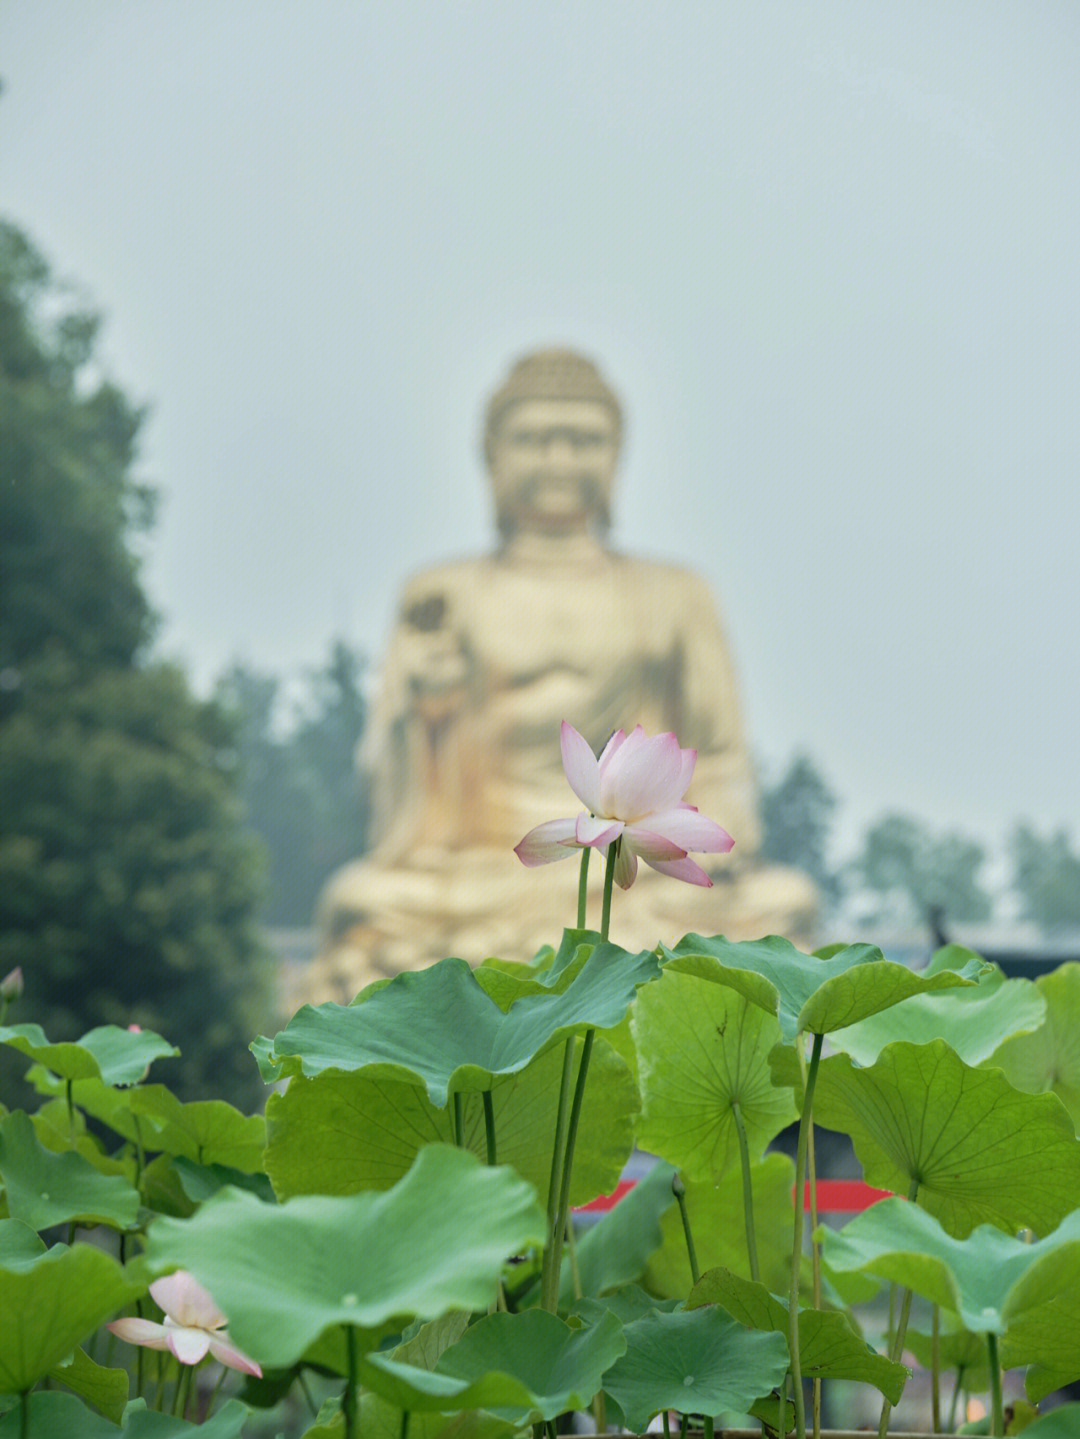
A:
805	992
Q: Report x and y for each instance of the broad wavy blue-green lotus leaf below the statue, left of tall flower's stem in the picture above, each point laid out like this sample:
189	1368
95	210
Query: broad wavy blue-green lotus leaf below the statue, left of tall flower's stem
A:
441	1030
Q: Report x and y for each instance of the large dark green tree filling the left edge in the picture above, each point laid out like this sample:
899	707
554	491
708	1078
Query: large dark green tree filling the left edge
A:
127	884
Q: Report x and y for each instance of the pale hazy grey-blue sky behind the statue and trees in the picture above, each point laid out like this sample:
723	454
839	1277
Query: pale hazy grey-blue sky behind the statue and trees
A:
828	254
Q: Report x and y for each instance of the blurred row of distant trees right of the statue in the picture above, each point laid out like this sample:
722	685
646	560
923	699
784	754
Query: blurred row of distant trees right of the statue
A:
905	871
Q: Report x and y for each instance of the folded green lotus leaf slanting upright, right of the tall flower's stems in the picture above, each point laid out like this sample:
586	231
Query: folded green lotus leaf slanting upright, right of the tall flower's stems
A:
616	1250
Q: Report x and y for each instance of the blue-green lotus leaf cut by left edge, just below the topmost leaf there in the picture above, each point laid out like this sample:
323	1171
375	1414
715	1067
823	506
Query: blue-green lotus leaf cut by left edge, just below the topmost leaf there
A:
47	1189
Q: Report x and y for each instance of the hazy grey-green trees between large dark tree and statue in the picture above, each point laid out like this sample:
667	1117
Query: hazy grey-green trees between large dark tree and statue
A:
298	778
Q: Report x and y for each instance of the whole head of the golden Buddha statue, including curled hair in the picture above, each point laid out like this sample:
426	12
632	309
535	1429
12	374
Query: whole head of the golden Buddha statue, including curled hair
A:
552	442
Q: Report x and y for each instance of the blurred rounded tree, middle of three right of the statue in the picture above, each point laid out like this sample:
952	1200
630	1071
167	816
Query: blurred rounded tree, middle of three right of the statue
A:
902	860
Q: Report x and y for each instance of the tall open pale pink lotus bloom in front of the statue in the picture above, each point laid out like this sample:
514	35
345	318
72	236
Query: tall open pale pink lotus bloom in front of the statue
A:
633	795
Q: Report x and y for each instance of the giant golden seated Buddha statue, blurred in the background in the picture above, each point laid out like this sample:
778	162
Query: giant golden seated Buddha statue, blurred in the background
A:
487	660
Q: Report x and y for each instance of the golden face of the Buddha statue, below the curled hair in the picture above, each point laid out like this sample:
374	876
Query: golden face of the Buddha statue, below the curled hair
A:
553	464
